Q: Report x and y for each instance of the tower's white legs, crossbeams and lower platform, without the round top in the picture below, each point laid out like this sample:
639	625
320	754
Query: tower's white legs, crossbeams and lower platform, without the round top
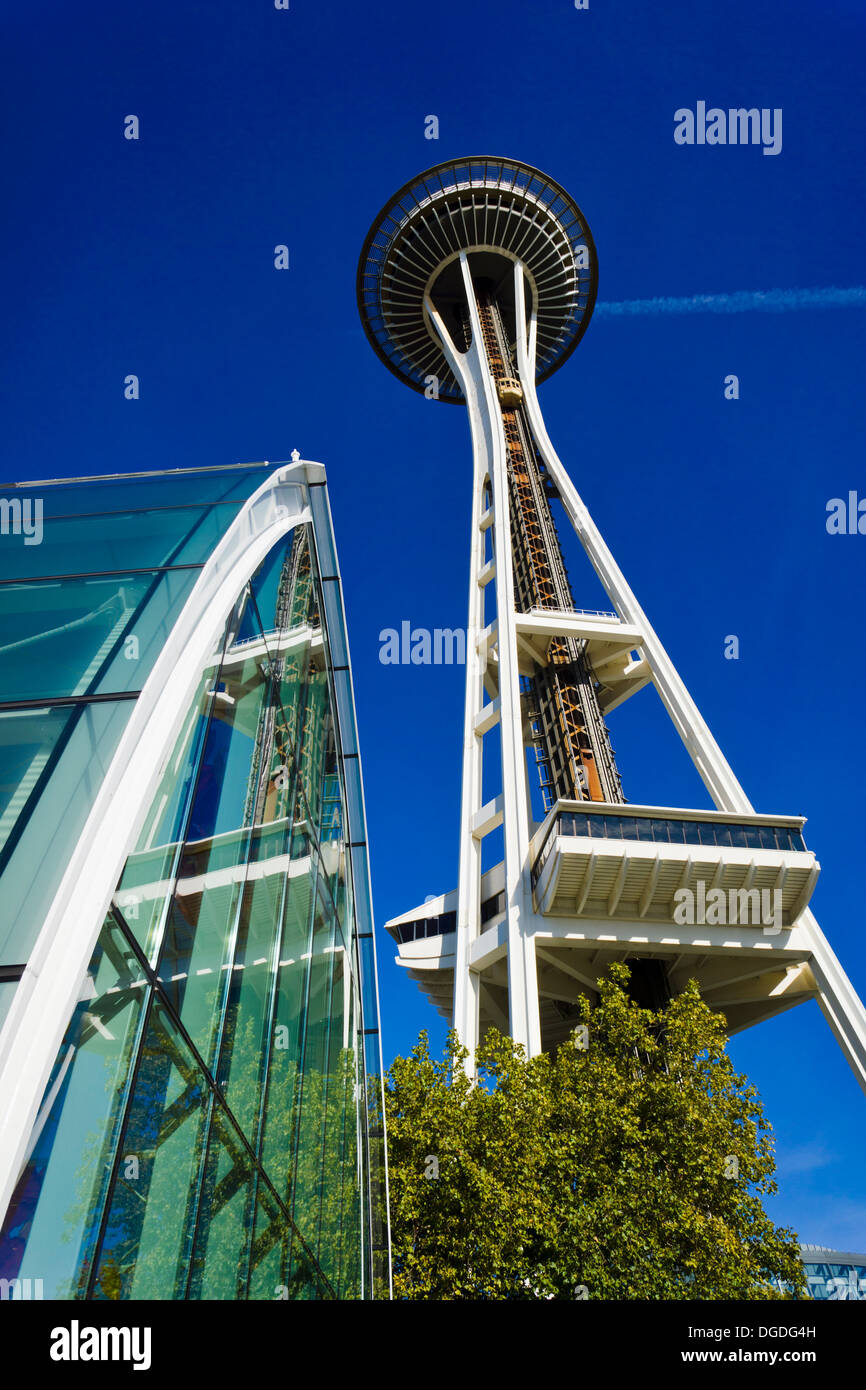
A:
550	933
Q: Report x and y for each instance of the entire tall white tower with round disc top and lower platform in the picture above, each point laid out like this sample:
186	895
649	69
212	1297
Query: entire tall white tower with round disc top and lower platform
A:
476	283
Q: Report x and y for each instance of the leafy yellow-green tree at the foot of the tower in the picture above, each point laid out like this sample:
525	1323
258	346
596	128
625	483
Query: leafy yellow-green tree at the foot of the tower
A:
630	1166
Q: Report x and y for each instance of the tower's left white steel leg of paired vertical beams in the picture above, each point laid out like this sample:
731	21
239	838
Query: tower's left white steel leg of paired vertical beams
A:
491	461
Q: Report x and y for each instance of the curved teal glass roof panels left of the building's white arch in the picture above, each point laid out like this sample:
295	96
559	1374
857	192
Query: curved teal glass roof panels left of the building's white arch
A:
84	615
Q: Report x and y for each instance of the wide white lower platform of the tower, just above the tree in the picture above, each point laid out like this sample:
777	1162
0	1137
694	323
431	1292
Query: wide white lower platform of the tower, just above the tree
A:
604	889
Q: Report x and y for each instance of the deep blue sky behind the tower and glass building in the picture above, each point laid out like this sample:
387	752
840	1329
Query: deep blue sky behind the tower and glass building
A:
263	127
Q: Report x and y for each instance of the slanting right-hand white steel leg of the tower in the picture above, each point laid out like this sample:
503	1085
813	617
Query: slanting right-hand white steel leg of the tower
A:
838	997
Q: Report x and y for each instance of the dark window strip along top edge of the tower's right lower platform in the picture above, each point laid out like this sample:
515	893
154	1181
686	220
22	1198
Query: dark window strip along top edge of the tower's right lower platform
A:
668	831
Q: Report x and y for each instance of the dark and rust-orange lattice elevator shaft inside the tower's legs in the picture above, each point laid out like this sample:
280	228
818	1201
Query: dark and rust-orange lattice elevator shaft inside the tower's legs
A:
566	728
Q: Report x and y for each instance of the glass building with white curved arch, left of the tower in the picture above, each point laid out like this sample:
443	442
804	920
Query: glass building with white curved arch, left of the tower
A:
190	1047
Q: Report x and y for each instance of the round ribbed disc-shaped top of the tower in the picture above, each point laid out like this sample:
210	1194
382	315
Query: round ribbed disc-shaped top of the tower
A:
498	212
